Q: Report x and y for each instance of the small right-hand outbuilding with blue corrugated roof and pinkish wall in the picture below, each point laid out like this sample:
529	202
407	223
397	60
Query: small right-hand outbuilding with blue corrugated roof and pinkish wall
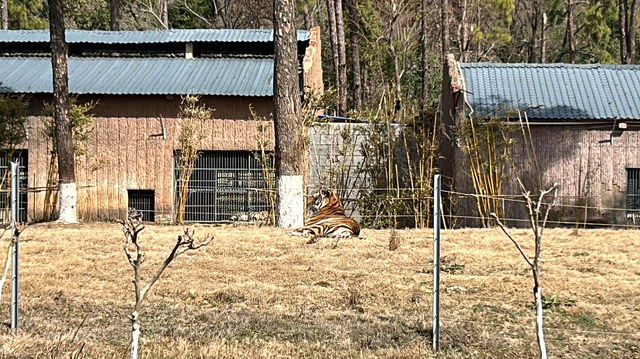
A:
581	130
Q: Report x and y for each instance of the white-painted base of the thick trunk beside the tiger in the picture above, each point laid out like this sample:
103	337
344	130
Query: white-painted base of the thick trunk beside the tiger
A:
291	202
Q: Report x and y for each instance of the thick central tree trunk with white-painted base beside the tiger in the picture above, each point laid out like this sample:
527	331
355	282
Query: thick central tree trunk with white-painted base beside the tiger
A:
289	144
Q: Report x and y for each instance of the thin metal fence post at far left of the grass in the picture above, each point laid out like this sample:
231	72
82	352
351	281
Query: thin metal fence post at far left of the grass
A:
15	178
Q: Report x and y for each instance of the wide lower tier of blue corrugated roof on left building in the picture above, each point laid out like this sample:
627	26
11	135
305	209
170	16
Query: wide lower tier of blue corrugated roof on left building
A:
143	76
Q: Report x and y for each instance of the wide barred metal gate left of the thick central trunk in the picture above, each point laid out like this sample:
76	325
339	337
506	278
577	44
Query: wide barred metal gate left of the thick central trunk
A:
226	184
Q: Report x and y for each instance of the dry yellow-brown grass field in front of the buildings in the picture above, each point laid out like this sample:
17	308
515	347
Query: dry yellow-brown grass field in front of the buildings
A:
259	293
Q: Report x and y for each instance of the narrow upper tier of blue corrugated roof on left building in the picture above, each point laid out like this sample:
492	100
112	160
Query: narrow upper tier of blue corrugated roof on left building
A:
154	36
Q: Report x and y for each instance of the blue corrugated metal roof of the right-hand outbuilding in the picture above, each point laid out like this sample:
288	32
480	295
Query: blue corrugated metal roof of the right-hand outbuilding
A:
566	91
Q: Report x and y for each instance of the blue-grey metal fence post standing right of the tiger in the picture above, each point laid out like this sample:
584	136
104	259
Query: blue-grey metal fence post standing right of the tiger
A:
436	262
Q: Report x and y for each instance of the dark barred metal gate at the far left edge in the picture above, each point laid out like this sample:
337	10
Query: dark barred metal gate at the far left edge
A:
5	169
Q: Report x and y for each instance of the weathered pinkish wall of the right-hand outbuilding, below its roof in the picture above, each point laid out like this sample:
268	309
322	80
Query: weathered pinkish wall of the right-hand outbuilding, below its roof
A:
588	164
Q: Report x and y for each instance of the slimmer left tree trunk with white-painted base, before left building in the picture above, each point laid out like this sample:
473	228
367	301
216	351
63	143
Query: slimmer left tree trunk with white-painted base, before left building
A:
64	142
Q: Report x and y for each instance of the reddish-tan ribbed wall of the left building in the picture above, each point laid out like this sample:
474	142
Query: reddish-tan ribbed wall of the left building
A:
129	153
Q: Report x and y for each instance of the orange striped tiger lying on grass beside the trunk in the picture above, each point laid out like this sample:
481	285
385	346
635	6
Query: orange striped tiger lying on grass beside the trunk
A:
328	218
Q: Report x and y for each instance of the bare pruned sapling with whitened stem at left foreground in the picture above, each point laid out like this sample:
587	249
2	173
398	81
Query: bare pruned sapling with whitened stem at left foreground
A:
132	227
